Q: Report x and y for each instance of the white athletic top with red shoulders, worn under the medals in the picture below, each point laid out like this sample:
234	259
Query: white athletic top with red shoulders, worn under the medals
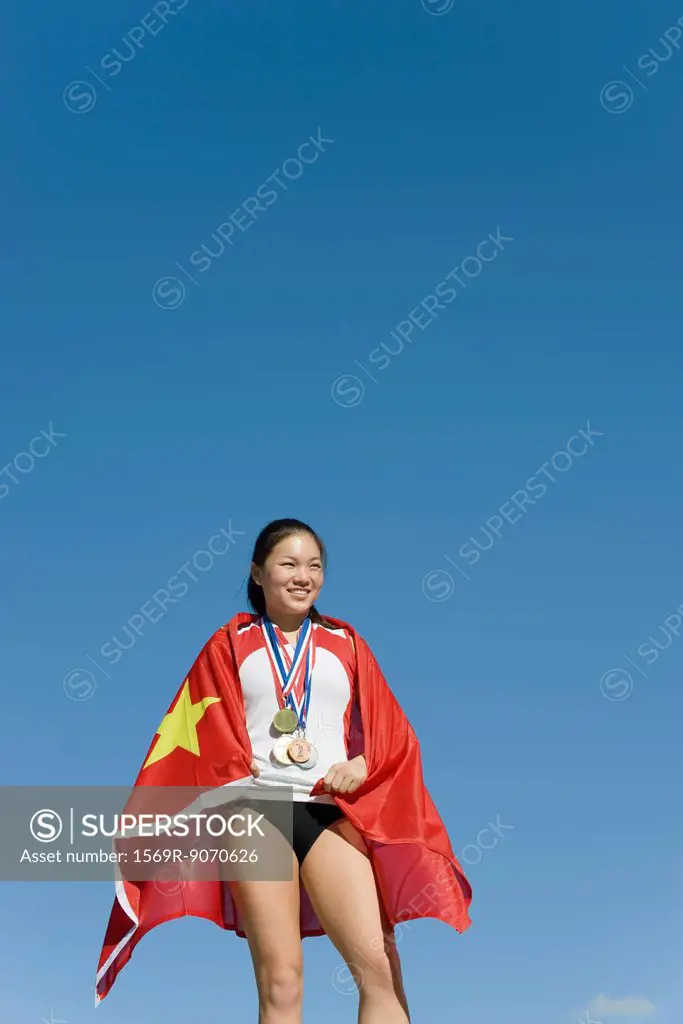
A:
329	711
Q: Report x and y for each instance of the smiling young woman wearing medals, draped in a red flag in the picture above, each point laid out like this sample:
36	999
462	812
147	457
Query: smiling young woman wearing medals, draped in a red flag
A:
289	698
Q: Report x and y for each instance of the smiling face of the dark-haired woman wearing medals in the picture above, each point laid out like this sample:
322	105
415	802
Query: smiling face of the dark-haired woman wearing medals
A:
291	577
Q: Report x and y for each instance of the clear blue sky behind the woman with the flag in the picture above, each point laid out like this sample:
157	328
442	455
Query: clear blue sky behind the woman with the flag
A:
251	393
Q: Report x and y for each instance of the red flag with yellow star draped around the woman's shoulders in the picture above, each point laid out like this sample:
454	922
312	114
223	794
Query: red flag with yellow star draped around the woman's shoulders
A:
203	742
